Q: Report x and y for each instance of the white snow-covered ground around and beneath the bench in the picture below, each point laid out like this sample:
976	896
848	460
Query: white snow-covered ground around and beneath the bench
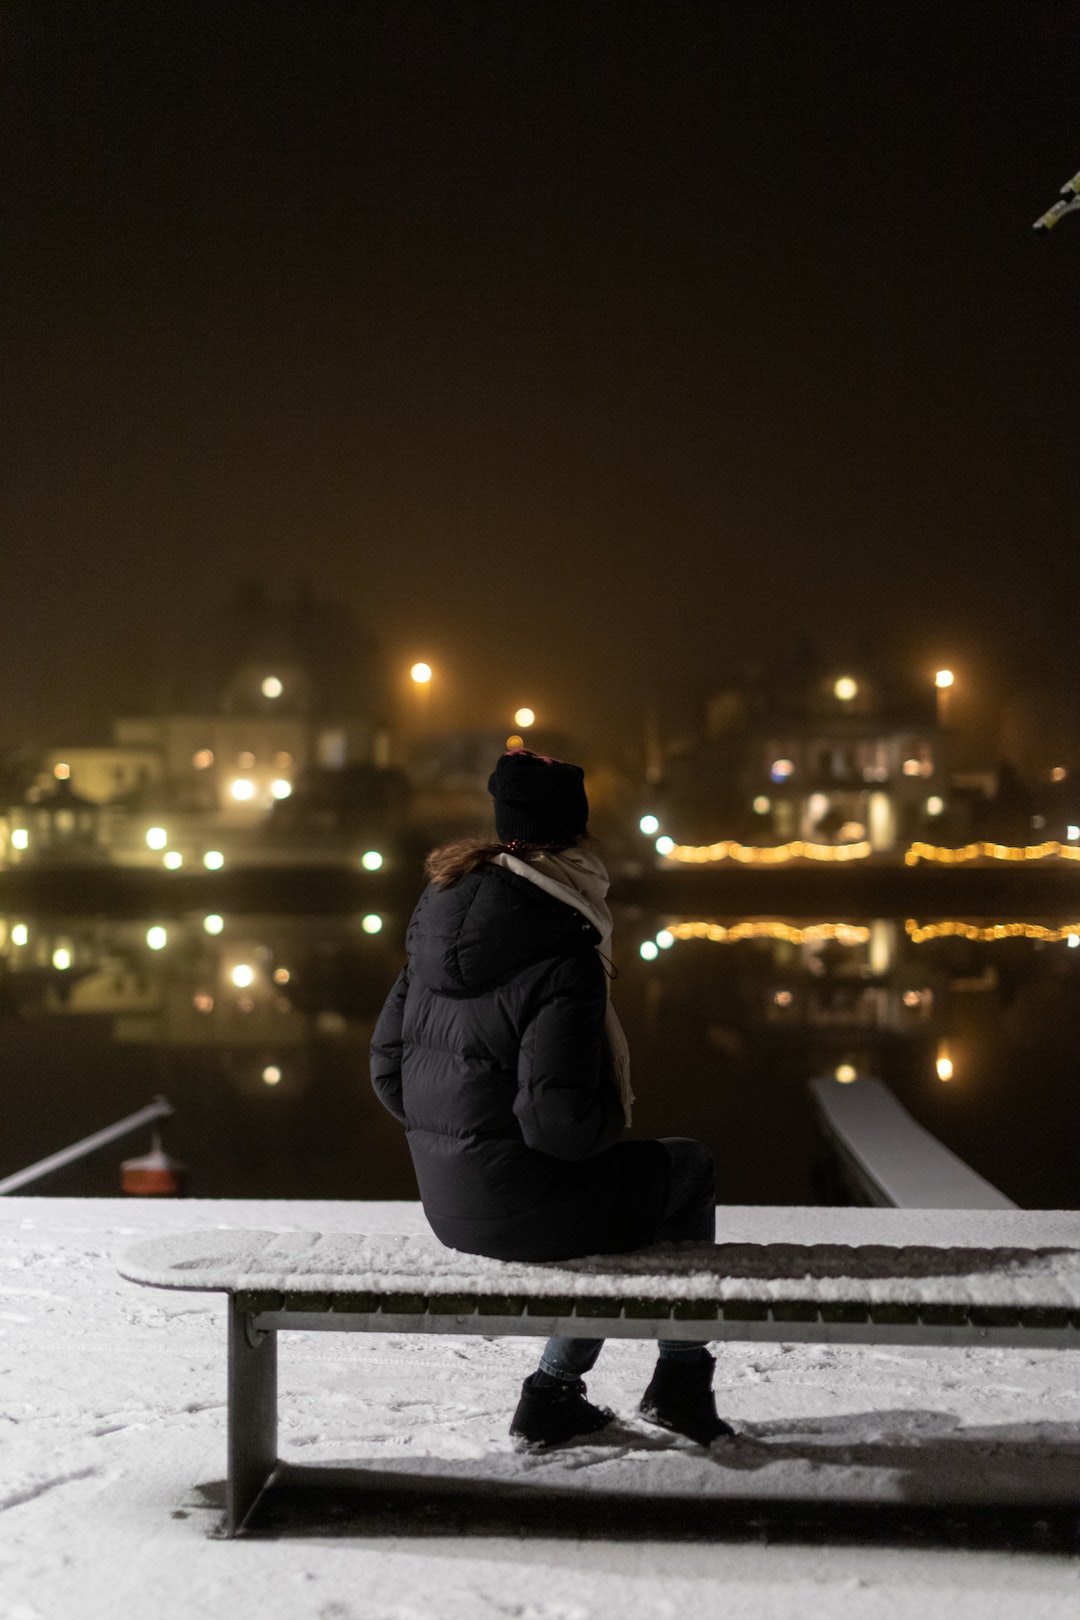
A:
113	1404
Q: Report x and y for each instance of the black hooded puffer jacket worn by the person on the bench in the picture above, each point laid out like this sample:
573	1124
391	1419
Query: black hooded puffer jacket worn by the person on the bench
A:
490	1051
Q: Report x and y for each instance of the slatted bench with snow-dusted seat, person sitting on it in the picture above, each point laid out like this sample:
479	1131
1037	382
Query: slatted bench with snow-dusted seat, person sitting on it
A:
828	1276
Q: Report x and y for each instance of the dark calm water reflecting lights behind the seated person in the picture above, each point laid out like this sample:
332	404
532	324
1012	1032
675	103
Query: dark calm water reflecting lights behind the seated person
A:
270	1078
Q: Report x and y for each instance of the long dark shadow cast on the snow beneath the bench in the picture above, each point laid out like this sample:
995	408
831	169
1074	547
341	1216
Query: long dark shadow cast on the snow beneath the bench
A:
898	1478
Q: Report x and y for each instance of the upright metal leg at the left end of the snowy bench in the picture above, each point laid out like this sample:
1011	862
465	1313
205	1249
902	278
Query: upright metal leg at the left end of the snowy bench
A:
252	1417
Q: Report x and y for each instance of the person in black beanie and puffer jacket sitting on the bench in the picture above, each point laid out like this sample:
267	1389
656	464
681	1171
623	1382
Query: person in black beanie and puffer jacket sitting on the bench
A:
501	1054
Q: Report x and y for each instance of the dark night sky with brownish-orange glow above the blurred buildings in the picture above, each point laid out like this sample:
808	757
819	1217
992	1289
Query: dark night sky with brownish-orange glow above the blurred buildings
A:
585	349
